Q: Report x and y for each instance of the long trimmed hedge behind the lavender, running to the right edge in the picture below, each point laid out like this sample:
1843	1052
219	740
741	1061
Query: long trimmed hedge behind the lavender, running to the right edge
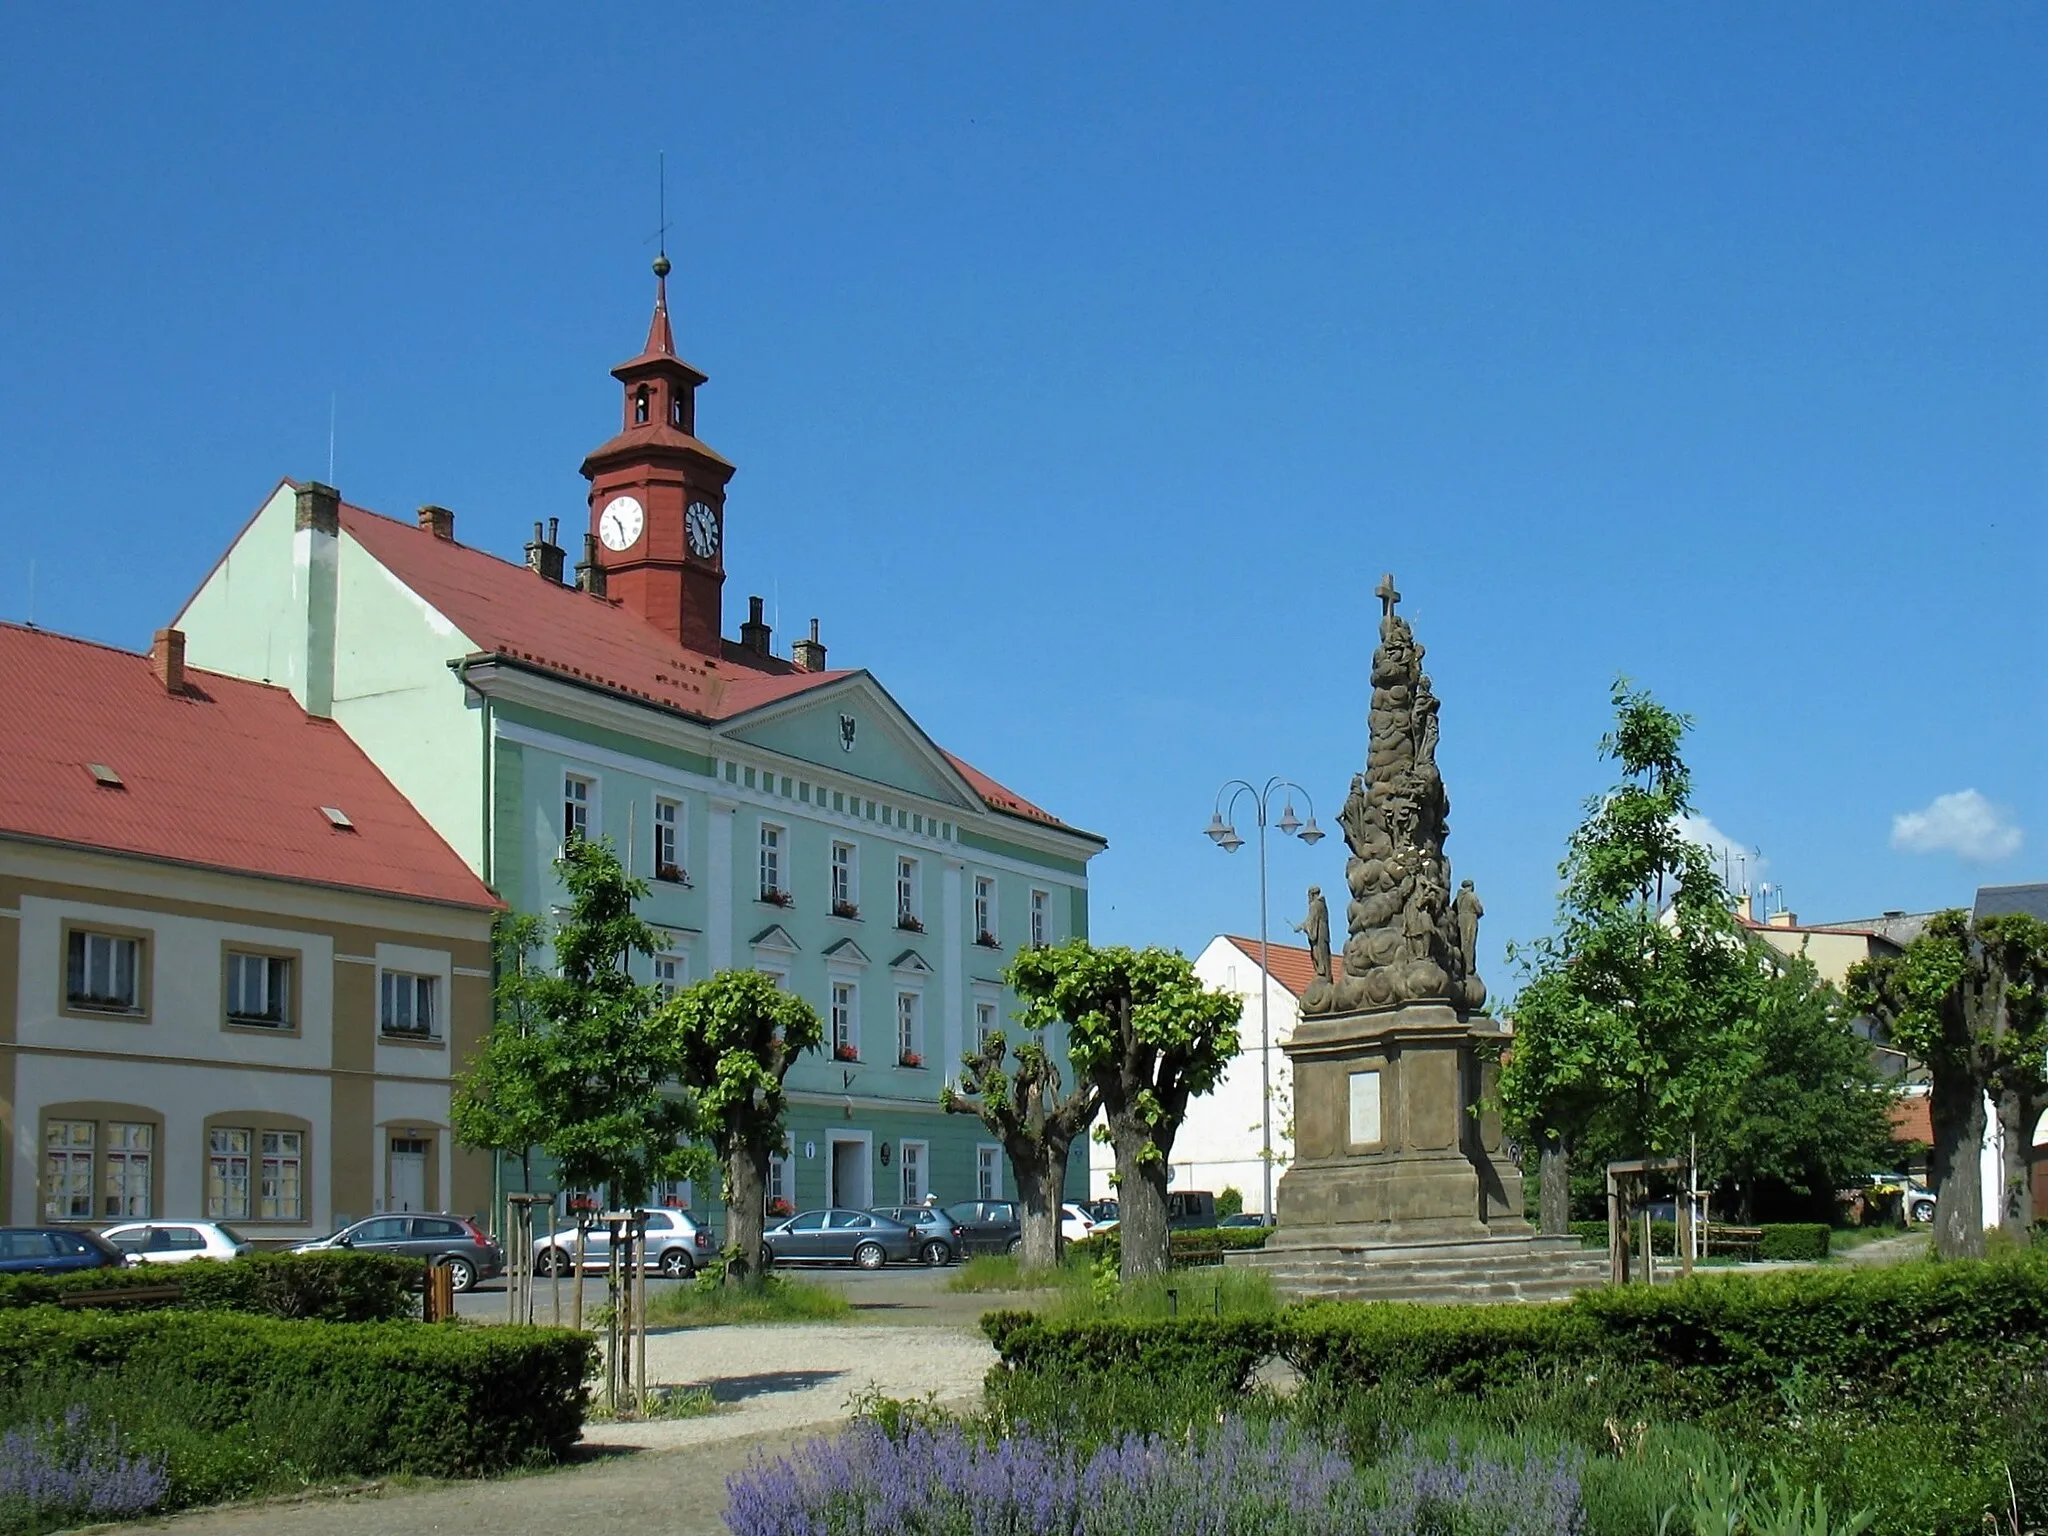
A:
1713	1338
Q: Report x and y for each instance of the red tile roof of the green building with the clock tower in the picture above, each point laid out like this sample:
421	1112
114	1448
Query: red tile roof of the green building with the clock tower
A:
552	628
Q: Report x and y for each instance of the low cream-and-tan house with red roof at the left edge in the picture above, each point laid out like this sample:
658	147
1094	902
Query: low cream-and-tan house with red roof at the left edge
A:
239	964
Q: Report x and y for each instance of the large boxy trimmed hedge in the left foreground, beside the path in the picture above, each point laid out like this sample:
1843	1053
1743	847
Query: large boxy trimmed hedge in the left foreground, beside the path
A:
392	1398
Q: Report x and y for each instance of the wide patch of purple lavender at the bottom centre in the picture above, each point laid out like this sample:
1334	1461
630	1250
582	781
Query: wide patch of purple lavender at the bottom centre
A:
943	1482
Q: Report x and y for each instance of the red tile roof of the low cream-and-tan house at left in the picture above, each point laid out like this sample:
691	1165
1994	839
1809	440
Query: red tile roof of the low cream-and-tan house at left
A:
230	775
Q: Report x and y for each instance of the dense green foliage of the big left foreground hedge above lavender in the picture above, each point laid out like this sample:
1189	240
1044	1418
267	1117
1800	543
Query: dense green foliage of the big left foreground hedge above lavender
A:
241	1404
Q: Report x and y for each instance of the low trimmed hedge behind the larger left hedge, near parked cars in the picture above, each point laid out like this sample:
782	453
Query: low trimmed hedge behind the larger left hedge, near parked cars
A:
321	1287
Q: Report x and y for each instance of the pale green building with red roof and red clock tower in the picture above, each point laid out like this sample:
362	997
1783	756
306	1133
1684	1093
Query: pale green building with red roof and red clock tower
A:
787	816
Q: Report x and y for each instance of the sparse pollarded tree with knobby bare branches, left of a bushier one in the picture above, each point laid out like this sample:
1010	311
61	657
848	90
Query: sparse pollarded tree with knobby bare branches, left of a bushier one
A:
1025	1111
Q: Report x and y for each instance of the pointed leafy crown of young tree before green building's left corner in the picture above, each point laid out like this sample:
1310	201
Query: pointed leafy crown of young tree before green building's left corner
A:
607	1074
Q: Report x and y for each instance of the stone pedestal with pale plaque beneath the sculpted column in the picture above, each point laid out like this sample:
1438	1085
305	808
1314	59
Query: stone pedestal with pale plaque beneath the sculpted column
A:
1388	1144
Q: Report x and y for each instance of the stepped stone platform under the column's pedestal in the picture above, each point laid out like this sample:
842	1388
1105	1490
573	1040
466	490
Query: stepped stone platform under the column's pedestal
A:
1334	1267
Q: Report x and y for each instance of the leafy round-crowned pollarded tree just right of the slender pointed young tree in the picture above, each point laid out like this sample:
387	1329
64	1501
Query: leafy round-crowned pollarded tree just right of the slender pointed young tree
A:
738	1035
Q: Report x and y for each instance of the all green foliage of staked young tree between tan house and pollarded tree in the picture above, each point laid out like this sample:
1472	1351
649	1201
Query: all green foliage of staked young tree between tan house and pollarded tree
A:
597	1072
